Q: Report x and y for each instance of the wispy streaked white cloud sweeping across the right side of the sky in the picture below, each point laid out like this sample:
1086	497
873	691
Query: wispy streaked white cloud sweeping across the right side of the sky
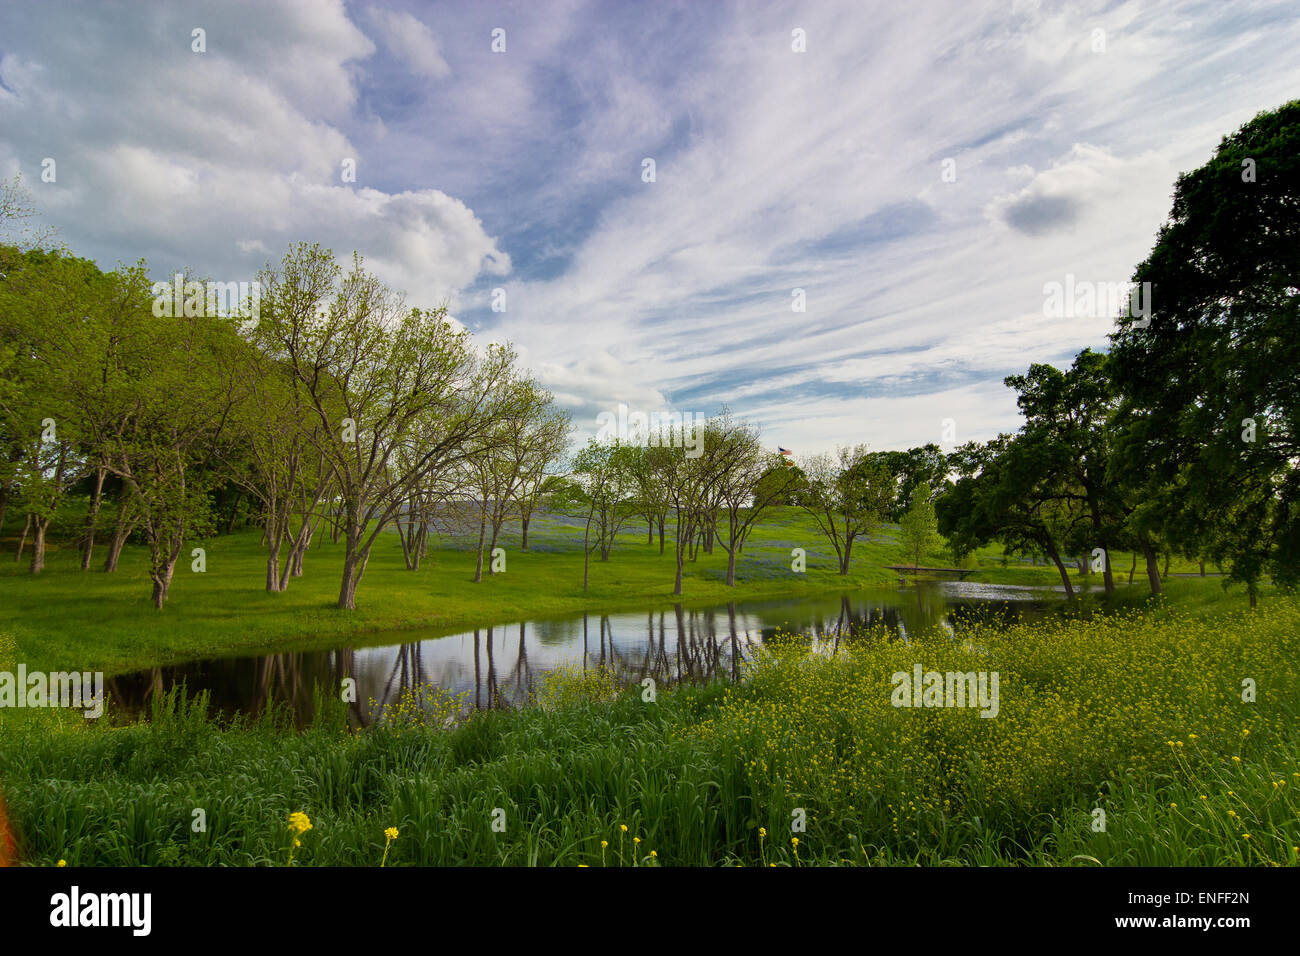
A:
688	280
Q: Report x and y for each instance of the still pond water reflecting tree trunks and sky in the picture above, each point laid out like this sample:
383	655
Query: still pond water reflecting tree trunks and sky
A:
497	667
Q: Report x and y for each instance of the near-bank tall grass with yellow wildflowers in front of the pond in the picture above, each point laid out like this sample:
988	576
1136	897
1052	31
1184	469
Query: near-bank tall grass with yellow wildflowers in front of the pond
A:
1145	738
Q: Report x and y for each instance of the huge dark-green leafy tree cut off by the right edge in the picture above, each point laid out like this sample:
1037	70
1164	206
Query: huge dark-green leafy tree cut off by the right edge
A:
1212	405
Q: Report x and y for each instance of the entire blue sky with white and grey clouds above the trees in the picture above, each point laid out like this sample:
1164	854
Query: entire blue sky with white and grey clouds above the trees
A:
922	171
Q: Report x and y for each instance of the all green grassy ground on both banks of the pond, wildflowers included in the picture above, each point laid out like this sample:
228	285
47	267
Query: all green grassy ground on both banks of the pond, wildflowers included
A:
1123	736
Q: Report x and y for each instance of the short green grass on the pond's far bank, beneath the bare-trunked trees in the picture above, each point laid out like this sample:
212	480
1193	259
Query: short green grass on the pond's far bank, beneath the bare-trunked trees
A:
66	618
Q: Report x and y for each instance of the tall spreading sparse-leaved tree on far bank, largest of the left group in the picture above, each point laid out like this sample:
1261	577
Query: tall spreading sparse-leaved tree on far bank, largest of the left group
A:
380	378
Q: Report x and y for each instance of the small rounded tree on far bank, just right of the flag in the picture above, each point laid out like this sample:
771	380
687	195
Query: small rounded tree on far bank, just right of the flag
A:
847	496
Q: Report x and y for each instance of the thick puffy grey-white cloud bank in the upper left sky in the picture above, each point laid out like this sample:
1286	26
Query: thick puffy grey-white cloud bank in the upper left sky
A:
187	155
